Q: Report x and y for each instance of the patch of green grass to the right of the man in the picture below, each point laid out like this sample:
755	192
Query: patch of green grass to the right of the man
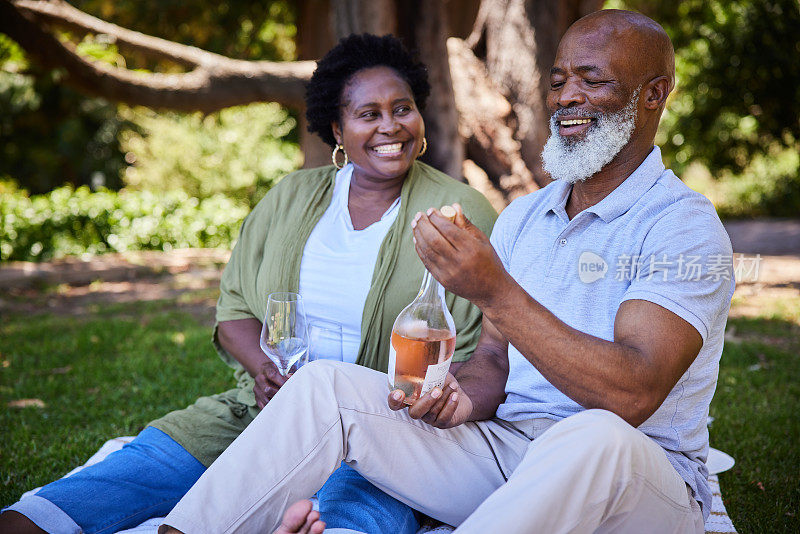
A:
756	409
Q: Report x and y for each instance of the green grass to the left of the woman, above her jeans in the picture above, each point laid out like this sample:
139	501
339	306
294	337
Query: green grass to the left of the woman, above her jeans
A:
105	374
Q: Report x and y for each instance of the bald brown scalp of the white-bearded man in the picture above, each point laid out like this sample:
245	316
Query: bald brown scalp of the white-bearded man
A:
639	40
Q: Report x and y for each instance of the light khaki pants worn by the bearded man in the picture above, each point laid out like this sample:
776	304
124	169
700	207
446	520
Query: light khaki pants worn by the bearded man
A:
590	472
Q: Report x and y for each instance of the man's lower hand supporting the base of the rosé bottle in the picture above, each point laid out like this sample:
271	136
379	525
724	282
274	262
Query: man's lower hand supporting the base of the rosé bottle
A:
443	407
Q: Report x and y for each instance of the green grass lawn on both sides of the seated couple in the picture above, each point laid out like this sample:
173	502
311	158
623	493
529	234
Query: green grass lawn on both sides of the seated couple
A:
109	372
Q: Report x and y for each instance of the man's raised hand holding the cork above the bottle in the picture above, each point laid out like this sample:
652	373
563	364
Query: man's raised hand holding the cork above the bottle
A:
458	255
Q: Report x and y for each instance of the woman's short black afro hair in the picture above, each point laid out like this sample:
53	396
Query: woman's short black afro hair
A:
350	55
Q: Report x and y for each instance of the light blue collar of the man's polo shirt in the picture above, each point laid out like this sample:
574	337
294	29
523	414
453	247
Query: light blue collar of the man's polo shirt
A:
620	199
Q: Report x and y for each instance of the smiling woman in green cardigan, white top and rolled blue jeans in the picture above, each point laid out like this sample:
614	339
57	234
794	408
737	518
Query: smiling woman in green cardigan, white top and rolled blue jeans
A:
341	236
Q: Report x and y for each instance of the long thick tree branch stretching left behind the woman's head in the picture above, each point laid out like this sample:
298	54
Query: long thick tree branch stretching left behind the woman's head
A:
217	82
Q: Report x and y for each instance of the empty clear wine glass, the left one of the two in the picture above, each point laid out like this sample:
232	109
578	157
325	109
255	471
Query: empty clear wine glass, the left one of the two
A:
283	335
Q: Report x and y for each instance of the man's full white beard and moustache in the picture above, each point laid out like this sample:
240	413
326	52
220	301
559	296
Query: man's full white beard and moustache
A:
576	161
